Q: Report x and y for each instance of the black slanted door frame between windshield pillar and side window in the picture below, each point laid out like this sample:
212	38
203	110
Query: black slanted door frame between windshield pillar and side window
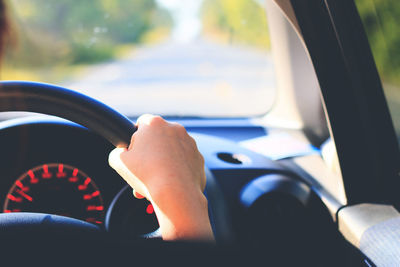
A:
352	94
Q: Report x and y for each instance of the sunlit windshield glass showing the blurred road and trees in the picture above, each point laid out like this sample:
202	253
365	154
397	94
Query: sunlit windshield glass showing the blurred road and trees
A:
207	58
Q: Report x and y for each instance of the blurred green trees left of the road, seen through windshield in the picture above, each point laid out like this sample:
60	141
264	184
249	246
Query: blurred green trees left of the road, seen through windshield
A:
65	32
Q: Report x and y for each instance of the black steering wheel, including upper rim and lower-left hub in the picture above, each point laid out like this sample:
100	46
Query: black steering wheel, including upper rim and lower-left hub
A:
99	118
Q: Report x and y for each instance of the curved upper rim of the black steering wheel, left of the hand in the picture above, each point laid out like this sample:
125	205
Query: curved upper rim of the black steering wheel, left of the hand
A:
58	101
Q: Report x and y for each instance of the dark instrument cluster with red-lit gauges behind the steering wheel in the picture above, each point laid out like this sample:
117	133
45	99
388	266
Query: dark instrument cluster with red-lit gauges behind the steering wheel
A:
57	167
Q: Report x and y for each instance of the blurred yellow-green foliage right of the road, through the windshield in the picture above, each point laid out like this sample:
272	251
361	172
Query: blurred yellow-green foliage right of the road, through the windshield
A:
241	21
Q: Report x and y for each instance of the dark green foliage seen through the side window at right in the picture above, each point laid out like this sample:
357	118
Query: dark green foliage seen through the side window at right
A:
381	19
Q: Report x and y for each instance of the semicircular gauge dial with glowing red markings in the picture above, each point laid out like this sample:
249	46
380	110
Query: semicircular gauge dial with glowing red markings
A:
56	188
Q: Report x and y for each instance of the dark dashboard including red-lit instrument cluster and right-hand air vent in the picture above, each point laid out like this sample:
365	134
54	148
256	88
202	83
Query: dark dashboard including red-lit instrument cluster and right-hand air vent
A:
54	166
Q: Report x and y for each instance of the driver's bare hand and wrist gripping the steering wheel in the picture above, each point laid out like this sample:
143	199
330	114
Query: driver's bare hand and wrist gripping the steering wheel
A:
164	165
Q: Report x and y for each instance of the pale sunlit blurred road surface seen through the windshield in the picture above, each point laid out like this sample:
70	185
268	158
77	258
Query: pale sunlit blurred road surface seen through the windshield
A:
197	79
